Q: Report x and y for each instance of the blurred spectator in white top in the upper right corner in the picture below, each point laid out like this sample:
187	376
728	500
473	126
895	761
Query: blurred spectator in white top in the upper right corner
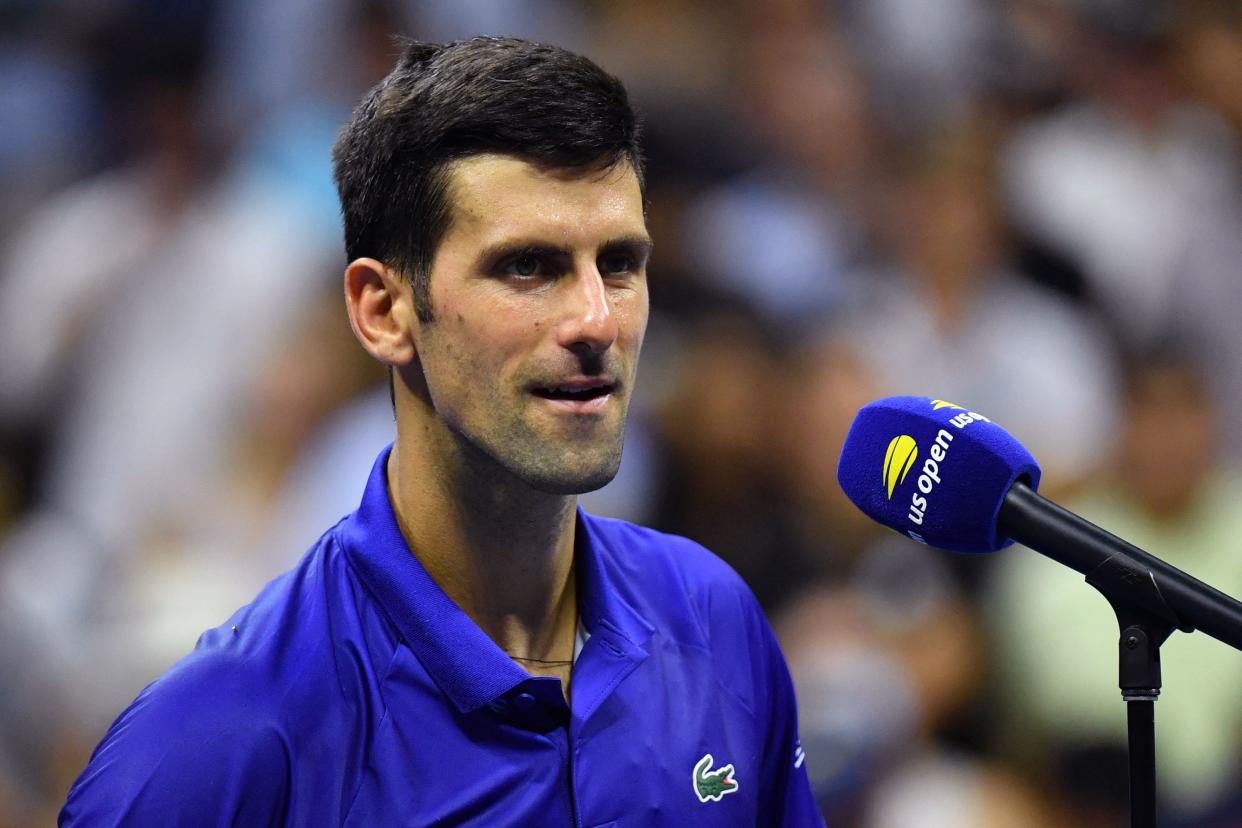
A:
1117	178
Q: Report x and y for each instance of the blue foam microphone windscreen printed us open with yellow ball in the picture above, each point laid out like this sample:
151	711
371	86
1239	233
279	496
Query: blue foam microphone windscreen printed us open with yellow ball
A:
933	471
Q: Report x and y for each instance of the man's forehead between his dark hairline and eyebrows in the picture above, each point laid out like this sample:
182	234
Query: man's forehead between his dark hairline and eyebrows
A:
494	198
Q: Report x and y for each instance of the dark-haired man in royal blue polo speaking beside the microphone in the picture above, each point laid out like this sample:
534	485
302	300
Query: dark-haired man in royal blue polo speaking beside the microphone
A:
469	647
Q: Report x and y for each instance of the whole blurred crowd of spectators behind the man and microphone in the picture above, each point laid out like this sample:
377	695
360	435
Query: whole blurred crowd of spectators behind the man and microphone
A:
1030	208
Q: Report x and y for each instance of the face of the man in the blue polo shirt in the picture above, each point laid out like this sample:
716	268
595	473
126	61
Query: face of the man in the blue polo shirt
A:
540	297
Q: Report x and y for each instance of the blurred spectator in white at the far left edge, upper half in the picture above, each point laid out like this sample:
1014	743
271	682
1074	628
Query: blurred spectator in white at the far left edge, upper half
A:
84	250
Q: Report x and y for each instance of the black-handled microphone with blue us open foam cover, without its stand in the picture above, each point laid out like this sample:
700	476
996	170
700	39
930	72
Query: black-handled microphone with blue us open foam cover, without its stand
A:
952	479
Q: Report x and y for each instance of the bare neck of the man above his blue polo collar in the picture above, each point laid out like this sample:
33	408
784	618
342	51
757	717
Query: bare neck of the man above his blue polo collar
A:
502	552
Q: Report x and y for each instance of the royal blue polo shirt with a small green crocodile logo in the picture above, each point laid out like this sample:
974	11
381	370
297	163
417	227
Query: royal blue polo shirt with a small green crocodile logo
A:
355	692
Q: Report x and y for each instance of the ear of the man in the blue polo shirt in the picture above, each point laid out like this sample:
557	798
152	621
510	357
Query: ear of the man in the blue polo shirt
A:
381	306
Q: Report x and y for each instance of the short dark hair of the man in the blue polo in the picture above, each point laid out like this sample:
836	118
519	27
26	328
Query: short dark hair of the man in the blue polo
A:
445	102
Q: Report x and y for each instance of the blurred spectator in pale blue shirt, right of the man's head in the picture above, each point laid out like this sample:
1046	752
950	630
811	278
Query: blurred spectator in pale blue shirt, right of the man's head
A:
786	234
